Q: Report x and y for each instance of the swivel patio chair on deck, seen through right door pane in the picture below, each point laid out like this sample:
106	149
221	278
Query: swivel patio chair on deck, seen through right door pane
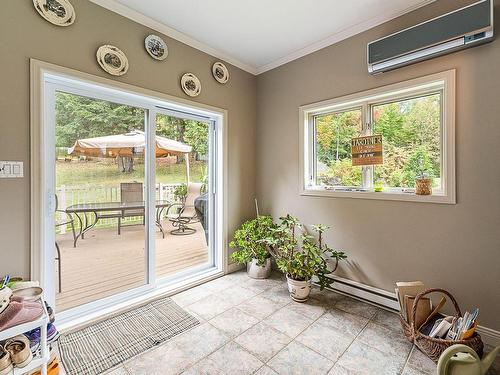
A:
187	213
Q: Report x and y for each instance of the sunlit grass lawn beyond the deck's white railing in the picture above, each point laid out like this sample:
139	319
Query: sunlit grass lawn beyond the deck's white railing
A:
80	173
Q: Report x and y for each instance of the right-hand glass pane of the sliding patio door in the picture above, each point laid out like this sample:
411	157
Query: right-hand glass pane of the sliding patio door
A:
184	243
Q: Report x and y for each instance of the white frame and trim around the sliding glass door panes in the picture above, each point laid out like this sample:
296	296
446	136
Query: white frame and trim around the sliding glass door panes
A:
42	177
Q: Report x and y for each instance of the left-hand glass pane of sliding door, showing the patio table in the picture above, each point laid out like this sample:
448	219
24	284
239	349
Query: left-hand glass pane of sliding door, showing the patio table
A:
99	219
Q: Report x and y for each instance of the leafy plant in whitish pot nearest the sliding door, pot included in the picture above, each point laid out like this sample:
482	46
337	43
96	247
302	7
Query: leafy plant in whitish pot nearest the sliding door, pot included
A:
251	250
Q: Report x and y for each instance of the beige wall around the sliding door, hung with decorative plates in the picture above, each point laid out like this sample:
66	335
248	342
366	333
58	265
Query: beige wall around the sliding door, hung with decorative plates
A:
24	35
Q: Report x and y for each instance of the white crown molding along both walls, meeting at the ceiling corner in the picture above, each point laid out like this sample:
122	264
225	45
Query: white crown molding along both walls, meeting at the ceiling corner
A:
142	19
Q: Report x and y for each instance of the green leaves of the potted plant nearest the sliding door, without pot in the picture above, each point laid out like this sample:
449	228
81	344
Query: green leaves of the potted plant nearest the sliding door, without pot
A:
248	240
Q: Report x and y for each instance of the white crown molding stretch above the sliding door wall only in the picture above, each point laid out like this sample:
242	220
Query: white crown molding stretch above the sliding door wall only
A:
171	32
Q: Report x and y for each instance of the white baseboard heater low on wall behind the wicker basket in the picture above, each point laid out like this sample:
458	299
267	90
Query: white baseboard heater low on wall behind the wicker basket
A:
383	298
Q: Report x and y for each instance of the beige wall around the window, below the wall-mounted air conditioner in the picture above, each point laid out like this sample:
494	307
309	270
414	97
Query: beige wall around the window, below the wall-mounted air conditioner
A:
456	247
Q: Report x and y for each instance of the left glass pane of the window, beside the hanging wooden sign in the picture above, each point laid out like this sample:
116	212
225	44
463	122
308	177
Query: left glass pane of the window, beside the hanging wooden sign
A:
333	134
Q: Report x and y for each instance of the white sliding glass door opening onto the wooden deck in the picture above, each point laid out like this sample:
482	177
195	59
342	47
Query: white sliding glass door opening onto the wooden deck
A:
133	186
